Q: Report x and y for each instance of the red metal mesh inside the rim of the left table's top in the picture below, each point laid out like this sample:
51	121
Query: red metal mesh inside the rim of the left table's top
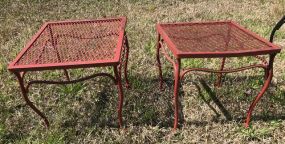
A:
76	41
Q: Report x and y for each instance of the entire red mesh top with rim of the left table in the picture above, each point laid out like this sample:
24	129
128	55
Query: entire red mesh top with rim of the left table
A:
73	44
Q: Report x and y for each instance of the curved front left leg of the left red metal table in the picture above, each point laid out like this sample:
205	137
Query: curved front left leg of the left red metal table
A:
25	95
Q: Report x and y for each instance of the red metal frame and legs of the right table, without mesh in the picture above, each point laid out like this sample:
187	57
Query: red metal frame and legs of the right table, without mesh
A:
179	74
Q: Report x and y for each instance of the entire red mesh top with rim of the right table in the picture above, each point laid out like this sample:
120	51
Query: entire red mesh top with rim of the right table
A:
213	39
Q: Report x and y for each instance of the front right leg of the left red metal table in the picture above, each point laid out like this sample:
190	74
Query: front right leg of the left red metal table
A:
120	93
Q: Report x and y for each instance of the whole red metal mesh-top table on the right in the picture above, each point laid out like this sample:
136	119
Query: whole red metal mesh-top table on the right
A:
219	39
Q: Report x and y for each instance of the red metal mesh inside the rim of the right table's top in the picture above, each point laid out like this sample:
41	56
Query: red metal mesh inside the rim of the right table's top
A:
212	37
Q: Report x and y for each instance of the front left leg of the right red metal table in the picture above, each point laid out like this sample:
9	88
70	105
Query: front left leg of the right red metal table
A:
176	91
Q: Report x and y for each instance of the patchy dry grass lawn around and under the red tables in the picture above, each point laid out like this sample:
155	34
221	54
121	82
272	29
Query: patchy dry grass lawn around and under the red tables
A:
86	112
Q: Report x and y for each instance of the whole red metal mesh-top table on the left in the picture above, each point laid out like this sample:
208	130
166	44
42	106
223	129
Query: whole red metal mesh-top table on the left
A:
75	44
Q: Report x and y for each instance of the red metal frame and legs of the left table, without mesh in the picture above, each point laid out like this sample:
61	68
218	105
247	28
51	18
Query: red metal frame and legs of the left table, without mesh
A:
120	62
